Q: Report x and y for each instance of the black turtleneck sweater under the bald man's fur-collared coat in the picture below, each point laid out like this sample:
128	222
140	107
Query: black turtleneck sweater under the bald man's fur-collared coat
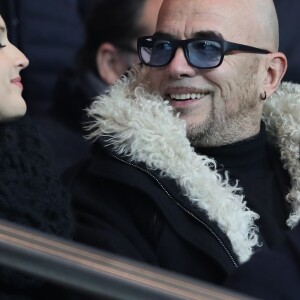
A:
256	164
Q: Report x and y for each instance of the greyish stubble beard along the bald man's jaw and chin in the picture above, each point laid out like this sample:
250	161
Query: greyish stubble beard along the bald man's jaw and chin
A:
230	126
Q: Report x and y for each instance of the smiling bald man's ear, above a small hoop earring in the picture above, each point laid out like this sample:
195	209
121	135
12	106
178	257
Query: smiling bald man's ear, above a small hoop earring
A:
277	65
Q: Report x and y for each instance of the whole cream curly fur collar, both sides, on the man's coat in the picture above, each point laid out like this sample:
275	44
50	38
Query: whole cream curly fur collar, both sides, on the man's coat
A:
142	126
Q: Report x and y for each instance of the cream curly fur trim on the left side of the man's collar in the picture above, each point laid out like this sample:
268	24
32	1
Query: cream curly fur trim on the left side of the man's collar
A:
142	126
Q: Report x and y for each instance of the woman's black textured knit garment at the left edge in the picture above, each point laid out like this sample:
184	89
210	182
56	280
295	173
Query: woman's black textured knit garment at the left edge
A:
31	195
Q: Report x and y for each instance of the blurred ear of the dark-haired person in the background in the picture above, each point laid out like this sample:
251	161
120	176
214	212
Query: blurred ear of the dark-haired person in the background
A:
108	61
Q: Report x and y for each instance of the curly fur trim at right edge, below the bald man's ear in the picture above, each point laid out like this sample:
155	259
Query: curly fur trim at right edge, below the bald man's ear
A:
282	117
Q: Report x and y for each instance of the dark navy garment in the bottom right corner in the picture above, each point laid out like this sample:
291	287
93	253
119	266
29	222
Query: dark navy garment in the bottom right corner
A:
272	274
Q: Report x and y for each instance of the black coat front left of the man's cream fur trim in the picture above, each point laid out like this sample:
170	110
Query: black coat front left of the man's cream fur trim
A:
130	210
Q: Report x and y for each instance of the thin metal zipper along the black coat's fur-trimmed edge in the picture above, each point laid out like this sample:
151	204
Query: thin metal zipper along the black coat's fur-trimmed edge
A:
184	209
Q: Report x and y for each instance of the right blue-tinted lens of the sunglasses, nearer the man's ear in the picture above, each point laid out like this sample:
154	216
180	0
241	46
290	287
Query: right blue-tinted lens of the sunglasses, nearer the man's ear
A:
204	53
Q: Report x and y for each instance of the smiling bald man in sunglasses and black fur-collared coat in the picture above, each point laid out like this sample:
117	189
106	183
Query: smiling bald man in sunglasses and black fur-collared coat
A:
189	148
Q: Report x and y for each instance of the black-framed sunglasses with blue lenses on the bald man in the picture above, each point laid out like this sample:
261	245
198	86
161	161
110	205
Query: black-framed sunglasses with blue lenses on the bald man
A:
199	53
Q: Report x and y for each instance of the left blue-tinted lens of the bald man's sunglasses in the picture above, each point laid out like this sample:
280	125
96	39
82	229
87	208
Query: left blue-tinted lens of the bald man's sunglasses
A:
156	52
